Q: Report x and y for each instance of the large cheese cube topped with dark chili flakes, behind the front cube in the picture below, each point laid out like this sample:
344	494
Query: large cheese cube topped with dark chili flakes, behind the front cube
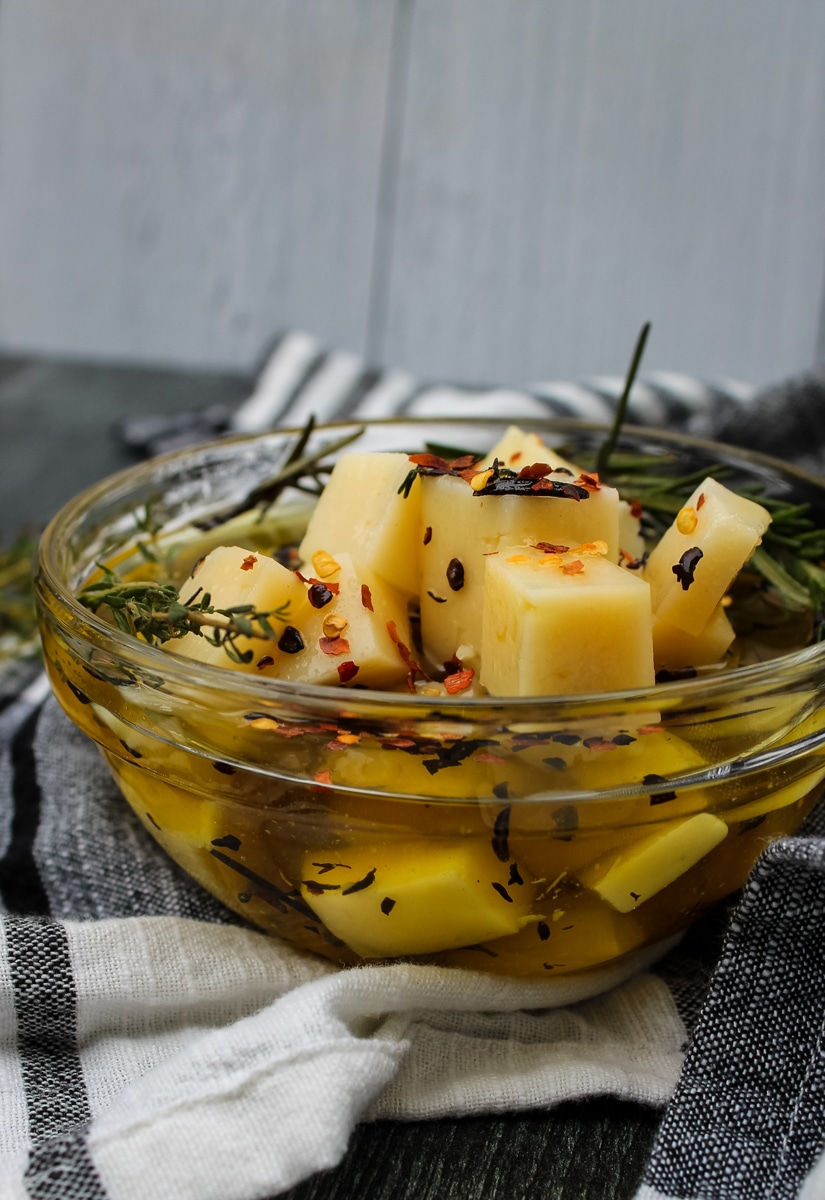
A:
460	529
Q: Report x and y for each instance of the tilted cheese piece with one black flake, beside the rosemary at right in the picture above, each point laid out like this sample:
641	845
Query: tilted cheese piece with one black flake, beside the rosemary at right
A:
702	553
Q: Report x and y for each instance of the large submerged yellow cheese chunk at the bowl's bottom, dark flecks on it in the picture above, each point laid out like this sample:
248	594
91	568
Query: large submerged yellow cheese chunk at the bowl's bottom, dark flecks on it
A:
415	897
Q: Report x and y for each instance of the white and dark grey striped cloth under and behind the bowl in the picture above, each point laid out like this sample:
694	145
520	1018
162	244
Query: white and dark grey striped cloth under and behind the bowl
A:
153	1046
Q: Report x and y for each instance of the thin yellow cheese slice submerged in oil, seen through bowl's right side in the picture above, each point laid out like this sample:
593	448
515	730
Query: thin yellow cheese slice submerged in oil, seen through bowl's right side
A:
654	862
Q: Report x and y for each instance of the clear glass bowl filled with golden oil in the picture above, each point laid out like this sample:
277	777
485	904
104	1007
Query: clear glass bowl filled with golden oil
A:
526	837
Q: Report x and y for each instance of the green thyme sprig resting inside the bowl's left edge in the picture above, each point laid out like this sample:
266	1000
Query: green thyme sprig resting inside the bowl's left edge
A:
156	614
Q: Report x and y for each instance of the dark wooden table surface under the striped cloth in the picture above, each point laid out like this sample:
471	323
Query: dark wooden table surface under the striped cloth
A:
61	433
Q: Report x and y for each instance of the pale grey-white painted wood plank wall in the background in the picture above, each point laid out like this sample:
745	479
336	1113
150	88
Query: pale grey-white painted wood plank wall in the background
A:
479	190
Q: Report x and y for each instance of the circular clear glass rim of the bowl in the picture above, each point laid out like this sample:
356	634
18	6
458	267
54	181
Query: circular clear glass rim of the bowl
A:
184	671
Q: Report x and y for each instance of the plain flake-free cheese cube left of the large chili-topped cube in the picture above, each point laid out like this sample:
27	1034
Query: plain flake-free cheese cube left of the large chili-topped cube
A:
362	513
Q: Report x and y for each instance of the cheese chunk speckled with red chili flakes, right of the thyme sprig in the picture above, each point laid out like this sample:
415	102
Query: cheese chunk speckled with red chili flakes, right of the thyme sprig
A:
352	632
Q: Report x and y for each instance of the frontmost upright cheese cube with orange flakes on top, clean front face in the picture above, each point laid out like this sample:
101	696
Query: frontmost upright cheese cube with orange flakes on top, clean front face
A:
564	625
